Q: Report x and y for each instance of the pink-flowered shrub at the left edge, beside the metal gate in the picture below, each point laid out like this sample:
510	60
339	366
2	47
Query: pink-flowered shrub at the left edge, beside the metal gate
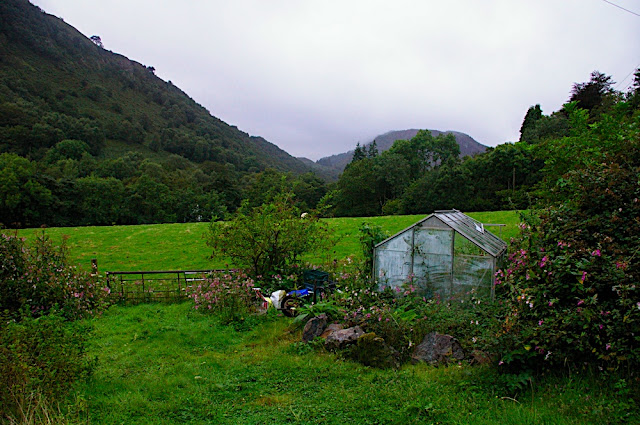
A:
35	279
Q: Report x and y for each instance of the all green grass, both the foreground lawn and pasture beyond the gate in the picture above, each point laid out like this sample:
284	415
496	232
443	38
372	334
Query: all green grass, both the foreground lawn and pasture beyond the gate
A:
168	363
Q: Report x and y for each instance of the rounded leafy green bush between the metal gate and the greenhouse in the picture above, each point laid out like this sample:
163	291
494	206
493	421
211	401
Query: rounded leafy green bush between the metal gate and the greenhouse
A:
268	240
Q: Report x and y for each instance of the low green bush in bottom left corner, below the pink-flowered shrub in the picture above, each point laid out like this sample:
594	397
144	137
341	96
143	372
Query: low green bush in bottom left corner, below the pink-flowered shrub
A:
43	356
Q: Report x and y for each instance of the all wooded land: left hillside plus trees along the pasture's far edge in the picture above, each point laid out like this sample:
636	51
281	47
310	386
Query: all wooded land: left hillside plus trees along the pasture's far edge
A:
89	137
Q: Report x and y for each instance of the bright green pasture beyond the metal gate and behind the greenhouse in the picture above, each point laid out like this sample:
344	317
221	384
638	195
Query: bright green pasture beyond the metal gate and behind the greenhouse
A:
181	246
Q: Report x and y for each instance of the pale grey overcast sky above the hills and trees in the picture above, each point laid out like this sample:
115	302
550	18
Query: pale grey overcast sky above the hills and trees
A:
315	77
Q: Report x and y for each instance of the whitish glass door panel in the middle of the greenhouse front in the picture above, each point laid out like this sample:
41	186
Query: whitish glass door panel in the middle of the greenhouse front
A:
433	258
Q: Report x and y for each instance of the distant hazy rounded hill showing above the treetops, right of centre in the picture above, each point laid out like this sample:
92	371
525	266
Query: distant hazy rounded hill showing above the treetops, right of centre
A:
468	146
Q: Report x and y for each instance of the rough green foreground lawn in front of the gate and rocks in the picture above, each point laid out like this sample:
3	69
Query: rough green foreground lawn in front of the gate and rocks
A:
168	364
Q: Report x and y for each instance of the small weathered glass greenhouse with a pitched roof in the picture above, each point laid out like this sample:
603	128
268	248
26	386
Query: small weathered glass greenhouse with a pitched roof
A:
447	253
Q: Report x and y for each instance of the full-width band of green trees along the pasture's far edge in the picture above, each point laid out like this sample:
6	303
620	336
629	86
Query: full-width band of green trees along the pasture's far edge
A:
68	184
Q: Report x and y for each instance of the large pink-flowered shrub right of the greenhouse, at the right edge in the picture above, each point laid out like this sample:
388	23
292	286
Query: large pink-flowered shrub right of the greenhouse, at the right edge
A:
572	281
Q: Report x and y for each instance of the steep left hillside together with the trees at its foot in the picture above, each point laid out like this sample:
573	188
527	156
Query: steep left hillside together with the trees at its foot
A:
71	110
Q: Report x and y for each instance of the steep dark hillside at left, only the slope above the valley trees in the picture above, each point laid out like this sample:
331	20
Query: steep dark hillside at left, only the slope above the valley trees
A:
55	83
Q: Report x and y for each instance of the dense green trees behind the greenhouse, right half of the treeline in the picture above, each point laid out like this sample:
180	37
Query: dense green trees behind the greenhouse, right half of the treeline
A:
425	174
